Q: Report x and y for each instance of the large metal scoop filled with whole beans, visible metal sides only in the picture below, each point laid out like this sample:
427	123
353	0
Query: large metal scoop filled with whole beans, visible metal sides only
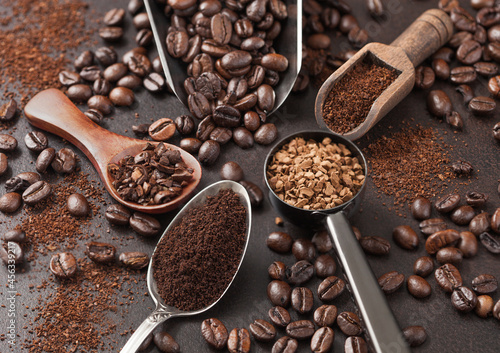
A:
288	43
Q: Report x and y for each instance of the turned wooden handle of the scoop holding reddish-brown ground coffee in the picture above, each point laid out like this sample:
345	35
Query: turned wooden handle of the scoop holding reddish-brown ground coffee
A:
428	33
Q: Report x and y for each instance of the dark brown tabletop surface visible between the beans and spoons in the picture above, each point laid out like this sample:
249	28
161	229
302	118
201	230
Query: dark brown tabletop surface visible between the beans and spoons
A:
448	330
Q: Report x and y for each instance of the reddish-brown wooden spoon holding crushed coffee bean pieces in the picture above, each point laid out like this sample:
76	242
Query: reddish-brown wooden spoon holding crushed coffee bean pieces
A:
52	111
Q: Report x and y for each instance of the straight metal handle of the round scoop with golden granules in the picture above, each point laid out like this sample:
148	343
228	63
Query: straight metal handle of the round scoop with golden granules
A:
383	331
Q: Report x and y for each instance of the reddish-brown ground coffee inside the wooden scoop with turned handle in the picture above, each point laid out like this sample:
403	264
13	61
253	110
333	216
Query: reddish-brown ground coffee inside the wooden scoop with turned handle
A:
352	97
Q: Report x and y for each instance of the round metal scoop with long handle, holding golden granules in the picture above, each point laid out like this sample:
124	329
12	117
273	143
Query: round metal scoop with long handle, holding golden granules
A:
383	331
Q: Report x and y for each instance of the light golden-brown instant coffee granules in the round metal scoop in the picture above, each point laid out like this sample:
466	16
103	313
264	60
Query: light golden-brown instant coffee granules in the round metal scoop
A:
315	175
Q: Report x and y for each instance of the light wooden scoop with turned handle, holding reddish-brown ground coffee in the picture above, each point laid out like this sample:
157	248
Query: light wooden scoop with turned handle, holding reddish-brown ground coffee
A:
428	33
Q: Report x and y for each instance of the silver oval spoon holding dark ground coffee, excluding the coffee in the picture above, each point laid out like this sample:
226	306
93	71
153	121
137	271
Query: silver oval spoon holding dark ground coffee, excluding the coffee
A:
162	311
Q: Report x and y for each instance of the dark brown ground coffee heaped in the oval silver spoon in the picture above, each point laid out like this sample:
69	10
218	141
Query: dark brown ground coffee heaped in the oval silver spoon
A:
197	259
